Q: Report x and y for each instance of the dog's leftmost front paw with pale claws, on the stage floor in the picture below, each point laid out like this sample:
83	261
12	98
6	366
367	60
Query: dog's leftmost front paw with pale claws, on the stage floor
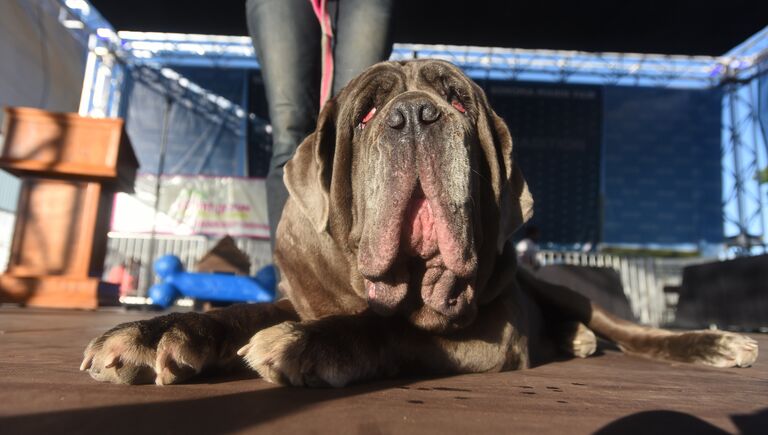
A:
164	350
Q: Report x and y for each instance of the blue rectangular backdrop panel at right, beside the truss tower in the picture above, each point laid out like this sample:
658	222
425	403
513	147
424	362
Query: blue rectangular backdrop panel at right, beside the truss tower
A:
661	164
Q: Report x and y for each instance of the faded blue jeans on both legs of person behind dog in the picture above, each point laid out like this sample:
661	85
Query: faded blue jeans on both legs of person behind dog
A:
286	36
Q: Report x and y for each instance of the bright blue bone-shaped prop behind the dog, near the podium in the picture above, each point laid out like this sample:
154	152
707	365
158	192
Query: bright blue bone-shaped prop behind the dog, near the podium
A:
209	286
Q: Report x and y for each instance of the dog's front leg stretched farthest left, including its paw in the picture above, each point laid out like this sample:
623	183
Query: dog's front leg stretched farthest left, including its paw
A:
172	348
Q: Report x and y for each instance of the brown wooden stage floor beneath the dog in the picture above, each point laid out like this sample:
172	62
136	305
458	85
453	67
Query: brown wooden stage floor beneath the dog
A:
42	391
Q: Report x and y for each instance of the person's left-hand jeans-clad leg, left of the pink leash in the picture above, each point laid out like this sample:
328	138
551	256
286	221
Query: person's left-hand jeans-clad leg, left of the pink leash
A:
286	36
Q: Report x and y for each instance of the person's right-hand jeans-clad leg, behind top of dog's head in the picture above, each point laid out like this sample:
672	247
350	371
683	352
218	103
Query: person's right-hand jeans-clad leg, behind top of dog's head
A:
362	38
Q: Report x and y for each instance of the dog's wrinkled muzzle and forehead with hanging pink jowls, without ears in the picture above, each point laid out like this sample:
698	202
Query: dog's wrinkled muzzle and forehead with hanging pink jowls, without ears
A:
417	128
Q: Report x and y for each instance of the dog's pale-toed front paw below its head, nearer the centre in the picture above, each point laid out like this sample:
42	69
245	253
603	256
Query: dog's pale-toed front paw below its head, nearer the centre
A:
286	354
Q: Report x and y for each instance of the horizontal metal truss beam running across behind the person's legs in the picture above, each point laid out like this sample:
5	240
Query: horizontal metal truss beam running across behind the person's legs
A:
631	69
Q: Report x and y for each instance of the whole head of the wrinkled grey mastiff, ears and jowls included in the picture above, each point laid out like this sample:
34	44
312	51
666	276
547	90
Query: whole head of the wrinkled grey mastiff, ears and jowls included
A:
420	175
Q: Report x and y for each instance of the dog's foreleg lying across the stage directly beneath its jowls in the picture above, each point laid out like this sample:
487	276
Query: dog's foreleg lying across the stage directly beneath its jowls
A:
338	350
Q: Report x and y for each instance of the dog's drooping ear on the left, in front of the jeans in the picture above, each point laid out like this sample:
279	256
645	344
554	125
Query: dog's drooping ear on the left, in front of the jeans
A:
307	175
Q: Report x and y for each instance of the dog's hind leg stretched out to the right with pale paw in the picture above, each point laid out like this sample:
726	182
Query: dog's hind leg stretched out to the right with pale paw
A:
716	348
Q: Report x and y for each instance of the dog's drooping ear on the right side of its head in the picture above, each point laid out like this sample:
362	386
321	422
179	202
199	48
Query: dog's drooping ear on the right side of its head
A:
514	199
